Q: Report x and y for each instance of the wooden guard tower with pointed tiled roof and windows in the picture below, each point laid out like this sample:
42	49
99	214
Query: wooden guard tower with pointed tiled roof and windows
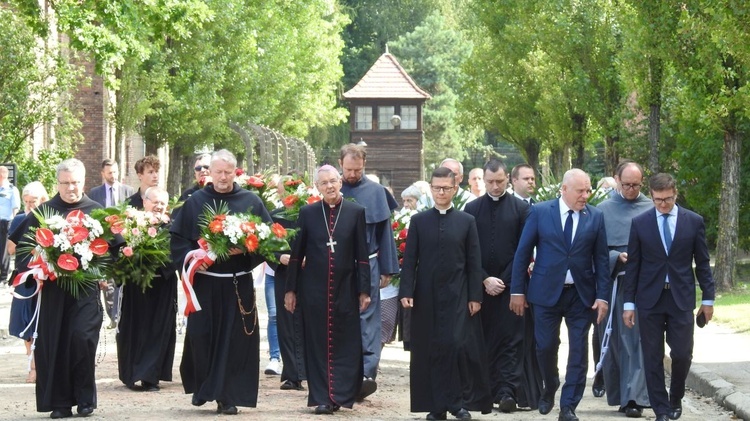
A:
386	114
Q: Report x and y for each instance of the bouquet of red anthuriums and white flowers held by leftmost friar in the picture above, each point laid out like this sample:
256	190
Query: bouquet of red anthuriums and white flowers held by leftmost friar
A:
70	251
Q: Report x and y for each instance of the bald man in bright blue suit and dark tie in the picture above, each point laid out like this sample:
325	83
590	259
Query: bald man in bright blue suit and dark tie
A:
570	279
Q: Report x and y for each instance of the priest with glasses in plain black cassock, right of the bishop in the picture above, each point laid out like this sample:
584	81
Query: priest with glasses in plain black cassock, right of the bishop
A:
441	281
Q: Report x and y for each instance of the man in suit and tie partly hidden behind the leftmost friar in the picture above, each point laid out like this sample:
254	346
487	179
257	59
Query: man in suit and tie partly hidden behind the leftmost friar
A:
110	193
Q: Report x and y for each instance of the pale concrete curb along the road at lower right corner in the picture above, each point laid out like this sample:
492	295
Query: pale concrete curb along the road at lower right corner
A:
711	385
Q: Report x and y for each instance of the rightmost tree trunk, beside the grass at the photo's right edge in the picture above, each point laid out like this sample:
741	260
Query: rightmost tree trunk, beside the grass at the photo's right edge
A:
727	242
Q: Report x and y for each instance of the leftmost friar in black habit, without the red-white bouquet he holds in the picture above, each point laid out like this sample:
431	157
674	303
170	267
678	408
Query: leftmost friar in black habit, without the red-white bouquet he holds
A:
68	331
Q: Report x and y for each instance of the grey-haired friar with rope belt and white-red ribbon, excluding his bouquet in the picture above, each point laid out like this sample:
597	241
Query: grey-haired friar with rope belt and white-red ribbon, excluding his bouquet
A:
220	358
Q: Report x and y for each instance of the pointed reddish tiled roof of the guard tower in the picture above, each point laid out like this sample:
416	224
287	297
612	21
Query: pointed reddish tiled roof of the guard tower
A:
386	79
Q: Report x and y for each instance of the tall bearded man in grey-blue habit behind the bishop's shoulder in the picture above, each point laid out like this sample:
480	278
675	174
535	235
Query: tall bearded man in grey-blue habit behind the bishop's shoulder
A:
379	204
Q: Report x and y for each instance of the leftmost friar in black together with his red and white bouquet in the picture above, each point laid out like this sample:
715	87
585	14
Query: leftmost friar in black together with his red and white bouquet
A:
70	314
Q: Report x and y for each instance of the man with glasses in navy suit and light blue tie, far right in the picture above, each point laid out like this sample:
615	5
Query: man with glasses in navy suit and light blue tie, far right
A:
659	279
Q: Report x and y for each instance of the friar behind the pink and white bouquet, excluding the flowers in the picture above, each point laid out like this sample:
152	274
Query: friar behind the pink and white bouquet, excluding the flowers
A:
146	334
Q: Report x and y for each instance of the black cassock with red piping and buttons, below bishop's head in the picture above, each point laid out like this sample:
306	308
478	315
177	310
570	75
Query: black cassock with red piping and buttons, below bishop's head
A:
328	291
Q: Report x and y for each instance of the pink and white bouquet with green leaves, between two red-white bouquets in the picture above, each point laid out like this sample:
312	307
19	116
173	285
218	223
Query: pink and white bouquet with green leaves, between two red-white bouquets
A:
147	244
